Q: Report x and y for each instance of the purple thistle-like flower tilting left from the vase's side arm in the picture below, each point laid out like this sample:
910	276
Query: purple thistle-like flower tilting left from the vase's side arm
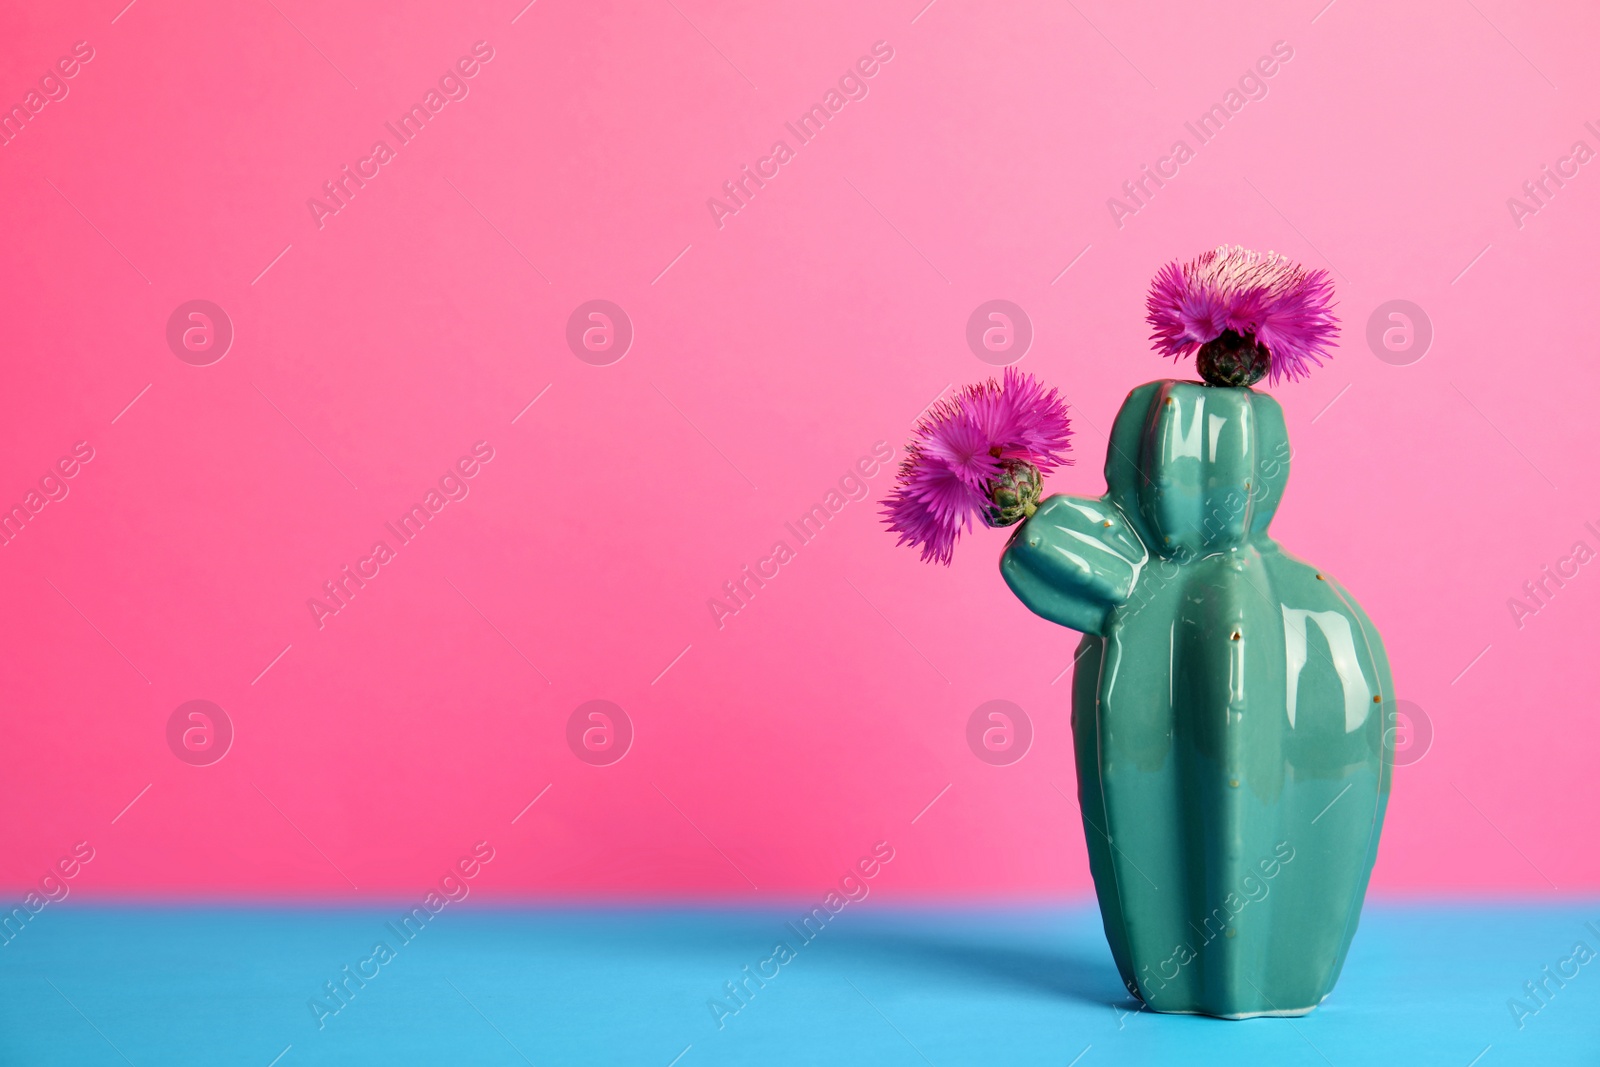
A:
977	454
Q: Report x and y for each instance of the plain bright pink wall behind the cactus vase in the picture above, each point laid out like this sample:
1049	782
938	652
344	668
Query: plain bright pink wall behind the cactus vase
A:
769	356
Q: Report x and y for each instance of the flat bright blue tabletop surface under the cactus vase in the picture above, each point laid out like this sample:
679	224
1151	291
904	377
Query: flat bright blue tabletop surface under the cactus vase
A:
287	988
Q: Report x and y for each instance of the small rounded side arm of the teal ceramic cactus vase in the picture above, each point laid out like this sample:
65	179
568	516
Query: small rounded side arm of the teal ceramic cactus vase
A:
1074	561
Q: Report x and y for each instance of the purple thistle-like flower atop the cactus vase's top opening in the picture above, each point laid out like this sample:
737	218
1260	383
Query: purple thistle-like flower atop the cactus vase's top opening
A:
1263	298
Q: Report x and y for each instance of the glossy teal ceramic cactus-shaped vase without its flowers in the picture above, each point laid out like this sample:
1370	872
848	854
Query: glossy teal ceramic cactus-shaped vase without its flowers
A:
1230	709
